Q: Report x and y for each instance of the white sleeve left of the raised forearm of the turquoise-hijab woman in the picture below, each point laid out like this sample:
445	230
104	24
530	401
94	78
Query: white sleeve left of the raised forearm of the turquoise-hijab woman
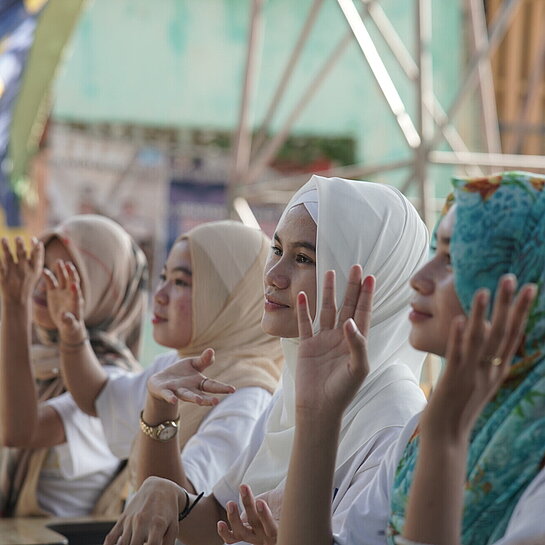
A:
365	522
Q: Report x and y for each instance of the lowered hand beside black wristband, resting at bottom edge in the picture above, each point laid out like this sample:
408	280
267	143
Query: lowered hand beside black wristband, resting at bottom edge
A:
151	516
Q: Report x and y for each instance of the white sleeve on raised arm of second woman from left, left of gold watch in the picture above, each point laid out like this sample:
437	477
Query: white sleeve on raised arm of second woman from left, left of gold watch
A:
119	404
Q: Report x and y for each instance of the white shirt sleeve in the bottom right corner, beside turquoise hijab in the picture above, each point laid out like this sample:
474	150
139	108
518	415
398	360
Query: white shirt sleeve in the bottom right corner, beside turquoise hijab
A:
527	524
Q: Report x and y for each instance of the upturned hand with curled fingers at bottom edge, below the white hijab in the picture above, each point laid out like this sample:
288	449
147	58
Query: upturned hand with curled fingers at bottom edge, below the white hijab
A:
257	525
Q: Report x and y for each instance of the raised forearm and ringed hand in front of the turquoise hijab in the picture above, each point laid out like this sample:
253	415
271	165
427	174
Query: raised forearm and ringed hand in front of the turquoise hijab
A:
434	511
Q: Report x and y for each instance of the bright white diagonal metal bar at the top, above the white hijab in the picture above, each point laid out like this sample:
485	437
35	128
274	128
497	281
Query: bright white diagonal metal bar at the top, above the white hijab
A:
380	72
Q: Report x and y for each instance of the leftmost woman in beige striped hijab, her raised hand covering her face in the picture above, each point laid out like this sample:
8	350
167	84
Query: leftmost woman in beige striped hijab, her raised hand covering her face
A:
58	461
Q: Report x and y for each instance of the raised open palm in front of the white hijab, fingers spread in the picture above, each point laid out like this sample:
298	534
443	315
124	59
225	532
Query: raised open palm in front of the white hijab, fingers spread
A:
332	363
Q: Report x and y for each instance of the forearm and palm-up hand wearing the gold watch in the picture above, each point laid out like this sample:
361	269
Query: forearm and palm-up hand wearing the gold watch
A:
182	381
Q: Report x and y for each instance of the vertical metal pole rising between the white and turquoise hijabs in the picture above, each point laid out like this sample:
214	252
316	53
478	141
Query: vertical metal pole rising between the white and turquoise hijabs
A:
425	122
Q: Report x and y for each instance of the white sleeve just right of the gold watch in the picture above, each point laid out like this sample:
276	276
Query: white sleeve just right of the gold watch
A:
222	437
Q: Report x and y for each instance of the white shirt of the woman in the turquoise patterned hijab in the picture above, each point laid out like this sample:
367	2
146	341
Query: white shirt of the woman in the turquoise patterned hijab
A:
367	519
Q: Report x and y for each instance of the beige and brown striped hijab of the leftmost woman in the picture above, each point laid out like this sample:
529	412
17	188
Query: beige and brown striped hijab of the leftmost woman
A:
113	274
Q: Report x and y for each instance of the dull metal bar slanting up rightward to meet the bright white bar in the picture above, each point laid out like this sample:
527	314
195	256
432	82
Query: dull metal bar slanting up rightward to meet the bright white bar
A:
271	148
